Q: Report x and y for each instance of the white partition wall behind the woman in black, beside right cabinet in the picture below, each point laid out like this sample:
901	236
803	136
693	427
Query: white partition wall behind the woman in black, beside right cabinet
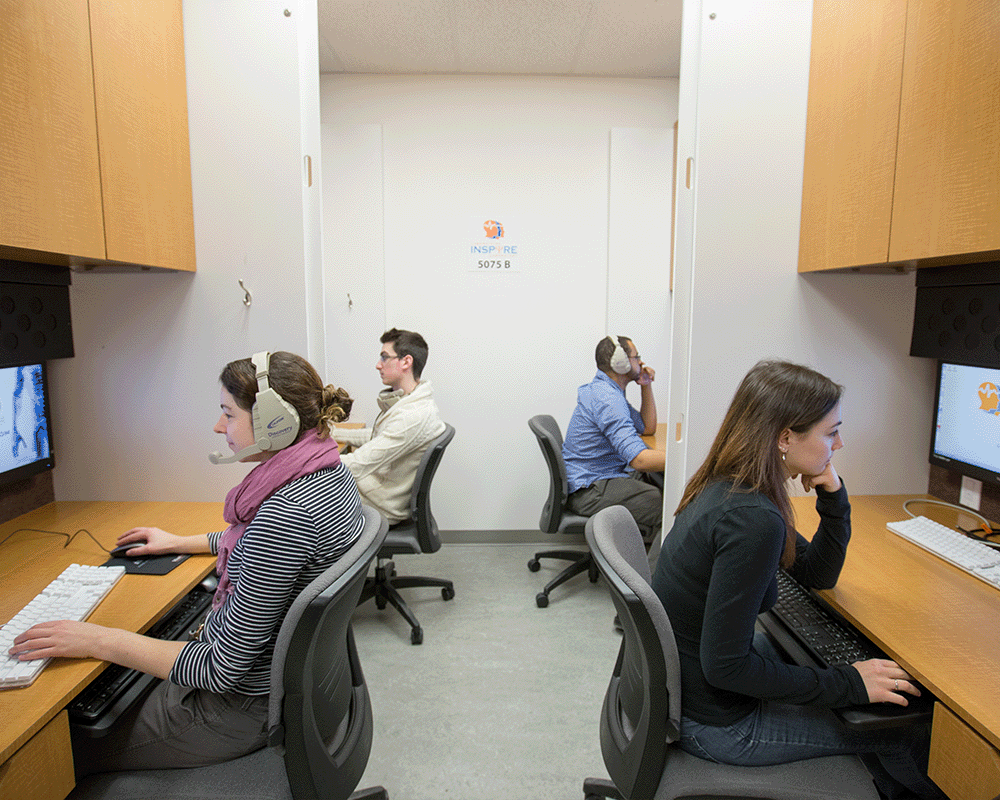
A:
743	109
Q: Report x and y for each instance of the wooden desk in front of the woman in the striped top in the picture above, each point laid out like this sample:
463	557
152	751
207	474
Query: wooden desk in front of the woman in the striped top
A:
28	562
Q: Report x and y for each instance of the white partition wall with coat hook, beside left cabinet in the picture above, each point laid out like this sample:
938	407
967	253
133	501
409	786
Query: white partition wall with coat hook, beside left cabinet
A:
134	409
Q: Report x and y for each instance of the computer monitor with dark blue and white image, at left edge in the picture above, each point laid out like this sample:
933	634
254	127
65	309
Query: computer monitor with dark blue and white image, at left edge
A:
25	430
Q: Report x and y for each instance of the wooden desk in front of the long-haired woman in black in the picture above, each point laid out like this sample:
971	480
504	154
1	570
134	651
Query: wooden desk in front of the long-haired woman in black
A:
939	624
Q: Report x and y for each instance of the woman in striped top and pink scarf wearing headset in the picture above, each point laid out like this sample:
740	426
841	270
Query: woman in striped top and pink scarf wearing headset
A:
289	519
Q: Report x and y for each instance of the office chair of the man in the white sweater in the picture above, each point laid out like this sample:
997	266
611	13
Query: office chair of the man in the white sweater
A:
419	534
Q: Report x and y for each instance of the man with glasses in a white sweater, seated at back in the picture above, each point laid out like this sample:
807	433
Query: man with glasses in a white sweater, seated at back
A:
385	457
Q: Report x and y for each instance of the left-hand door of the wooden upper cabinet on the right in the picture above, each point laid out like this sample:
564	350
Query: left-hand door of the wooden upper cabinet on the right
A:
854	84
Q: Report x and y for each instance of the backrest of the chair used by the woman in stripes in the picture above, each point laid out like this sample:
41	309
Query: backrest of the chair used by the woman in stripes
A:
319	702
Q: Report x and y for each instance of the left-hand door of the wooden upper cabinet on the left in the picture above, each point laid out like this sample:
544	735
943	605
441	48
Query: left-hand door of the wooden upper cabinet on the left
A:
49	170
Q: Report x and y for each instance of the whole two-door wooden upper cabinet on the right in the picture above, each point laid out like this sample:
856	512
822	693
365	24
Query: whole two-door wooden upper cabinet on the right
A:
902	159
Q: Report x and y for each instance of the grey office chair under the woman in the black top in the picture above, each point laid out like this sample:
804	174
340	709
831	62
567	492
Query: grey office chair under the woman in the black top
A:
640	720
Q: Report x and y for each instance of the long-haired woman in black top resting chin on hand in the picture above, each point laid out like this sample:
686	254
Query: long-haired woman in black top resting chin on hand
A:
716	572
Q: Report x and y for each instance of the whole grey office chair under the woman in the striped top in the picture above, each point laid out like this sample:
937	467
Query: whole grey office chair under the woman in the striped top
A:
319	713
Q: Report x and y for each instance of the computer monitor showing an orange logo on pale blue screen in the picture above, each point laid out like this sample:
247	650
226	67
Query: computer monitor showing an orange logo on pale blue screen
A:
966	434
